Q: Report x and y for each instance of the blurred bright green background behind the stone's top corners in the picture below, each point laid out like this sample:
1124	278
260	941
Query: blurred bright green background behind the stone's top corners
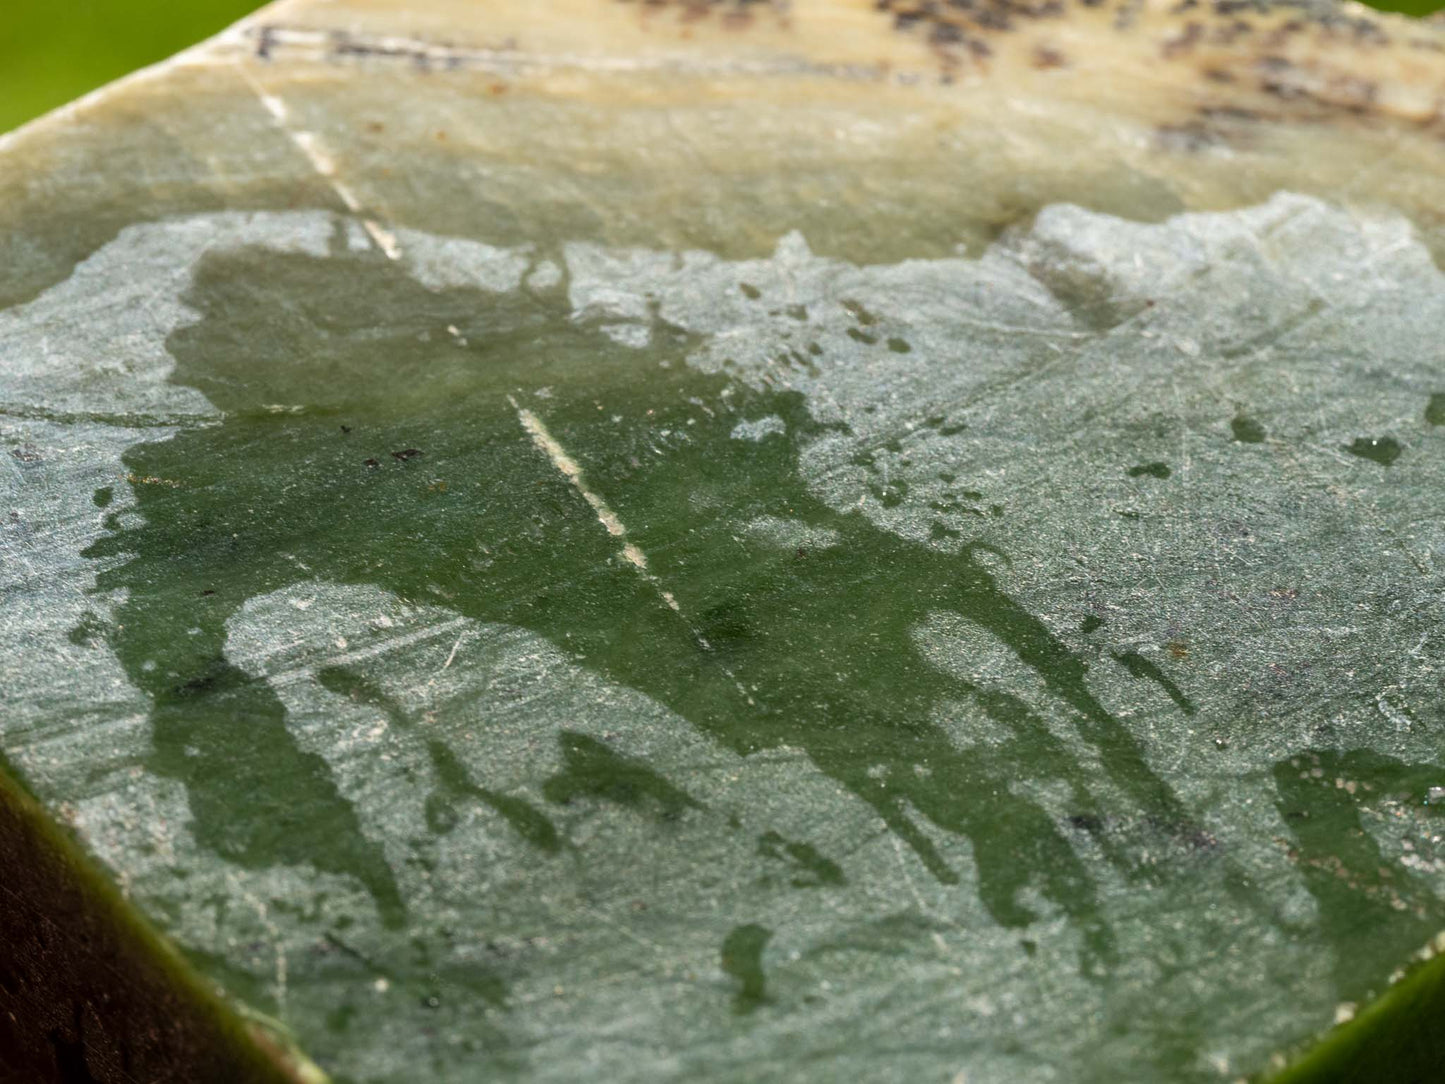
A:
53	51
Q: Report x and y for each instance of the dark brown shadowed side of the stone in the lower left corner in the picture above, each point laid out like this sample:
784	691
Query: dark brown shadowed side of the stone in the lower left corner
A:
89	994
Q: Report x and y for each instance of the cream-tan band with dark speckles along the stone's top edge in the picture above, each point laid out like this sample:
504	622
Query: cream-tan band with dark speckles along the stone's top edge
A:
904	134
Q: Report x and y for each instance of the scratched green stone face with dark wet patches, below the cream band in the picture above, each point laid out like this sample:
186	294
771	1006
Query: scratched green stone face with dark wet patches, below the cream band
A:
953	732
